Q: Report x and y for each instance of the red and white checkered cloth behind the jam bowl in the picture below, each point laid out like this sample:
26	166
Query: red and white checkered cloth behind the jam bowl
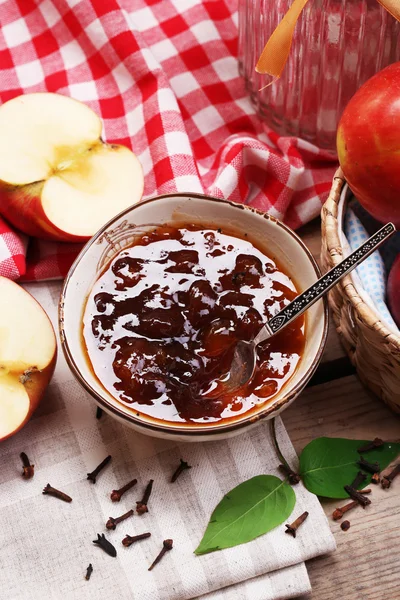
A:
163	75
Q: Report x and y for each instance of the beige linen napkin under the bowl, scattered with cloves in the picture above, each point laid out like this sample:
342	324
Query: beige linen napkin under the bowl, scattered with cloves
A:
46	545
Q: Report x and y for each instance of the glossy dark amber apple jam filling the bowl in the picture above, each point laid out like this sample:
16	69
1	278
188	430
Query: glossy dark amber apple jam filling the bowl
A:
150	324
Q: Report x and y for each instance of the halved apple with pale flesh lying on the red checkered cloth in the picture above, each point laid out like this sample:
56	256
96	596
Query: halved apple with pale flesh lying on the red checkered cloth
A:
58	179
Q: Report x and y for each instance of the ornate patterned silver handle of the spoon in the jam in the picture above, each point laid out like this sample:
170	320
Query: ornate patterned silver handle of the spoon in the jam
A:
324	284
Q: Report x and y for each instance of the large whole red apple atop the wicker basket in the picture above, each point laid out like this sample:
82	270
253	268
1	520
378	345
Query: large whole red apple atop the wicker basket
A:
368	144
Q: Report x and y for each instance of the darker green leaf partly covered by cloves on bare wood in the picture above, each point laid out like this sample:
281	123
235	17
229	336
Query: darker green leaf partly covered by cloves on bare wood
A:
328	464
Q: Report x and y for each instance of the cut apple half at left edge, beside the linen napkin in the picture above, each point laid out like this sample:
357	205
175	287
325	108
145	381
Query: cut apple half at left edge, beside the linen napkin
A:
28	352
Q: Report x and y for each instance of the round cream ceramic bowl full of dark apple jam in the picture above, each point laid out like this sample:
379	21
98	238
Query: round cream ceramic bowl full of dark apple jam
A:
152	309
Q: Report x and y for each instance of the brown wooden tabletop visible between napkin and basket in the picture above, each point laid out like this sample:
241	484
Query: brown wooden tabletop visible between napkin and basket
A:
366	565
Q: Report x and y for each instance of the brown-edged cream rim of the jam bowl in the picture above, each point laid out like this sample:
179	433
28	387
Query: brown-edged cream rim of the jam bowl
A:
213	429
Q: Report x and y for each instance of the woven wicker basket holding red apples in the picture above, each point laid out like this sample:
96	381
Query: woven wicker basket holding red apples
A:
371	346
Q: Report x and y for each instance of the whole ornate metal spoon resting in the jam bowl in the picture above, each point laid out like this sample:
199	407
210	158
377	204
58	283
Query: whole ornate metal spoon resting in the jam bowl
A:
245	354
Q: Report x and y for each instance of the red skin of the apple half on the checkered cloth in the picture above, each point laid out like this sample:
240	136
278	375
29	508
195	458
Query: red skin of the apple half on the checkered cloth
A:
22	207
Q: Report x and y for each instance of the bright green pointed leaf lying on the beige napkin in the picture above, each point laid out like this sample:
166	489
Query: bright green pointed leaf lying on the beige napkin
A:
249	510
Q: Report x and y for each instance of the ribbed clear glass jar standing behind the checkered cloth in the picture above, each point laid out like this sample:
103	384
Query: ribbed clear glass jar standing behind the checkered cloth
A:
337	45
